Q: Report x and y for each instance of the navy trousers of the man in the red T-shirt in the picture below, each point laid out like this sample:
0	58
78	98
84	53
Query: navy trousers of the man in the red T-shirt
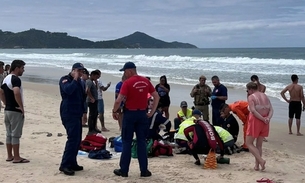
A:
134	121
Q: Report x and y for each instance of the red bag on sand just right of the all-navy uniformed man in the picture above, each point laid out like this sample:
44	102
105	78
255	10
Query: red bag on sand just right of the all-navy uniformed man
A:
93	142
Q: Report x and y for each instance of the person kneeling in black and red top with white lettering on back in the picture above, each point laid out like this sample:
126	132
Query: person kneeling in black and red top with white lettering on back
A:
204	138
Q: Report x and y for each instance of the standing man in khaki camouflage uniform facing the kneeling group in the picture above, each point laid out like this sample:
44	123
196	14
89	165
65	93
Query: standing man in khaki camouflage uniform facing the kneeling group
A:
201	93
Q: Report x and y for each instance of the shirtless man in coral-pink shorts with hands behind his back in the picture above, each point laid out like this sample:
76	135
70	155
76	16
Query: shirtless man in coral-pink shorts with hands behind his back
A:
261	112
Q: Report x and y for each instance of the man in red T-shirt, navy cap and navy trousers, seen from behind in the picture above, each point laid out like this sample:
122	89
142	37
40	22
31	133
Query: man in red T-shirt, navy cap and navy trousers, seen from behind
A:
135	119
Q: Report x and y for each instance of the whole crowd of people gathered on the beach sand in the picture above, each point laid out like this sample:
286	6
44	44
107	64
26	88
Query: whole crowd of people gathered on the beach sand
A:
142	108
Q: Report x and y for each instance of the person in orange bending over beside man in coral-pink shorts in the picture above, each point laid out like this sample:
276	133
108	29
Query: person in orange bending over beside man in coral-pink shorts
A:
240	108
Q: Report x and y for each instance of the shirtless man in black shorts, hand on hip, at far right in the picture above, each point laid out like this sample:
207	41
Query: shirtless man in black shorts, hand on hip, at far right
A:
295	106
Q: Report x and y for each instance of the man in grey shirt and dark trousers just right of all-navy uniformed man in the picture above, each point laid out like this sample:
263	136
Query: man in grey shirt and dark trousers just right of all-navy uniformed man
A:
92	101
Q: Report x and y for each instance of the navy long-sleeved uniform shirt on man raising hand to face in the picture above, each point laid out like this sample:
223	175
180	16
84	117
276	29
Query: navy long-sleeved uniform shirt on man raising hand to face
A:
73	96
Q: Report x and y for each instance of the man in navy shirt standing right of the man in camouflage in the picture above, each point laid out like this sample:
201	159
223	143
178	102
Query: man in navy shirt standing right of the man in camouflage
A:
219	97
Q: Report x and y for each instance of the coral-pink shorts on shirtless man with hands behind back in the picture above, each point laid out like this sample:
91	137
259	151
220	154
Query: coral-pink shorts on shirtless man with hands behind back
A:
257	128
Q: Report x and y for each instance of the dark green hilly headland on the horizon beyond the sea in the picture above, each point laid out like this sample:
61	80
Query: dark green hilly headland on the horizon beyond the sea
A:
40	39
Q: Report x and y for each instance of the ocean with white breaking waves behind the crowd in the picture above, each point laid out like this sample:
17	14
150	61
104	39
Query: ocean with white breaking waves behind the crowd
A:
234	67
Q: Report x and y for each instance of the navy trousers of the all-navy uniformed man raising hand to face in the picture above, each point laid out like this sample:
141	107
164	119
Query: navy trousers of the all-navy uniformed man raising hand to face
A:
73	126
